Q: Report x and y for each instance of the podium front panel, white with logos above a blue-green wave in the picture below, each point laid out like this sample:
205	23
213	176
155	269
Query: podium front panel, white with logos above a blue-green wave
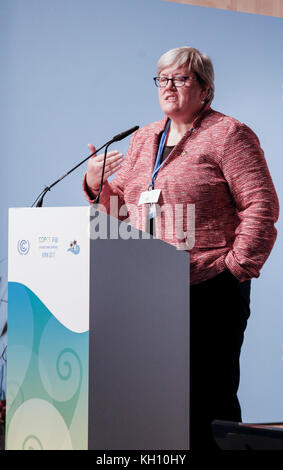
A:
48	323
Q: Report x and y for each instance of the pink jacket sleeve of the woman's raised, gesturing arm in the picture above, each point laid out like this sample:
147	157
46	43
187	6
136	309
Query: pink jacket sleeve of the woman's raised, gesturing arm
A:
114	190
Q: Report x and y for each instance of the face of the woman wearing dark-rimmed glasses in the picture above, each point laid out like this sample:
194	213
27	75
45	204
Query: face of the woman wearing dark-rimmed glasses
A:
181	103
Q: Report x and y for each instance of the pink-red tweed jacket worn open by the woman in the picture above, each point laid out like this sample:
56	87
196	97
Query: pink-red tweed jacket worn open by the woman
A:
220	170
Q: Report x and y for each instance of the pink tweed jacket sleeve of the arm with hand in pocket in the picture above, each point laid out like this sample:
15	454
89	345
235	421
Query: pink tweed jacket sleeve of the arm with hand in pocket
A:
246	172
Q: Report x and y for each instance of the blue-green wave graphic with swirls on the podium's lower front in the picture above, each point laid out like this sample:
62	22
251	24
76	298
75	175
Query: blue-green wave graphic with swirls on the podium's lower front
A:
54	379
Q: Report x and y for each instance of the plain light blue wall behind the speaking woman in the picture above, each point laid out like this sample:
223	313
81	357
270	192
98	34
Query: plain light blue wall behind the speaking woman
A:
74	72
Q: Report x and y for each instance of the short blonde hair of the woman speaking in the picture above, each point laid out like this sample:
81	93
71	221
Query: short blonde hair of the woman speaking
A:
198	63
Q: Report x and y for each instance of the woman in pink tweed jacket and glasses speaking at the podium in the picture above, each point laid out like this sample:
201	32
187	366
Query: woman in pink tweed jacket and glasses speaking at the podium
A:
199	158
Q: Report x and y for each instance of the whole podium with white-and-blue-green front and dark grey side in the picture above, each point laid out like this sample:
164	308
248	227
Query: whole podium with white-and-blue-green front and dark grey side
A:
98	334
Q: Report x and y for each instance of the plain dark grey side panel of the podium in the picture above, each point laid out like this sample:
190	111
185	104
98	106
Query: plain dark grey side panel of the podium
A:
139	344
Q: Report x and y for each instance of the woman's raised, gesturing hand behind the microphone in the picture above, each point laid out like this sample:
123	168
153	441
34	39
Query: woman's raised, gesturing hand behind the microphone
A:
95	166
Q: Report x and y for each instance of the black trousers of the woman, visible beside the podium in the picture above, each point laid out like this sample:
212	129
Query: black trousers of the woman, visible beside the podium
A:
219	309
